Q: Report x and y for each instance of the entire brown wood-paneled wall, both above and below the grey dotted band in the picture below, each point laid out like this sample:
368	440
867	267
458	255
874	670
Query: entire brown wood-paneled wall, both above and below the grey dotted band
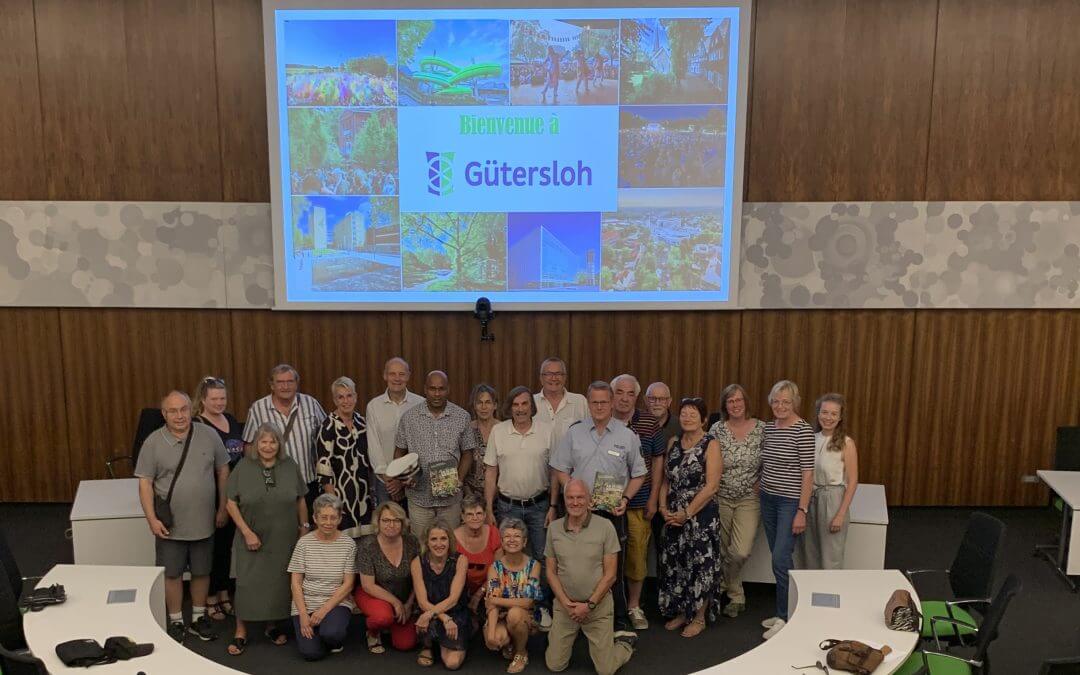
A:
849	100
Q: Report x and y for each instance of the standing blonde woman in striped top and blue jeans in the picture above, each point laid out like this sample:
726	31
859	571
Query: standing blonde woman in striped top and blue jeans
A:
787	483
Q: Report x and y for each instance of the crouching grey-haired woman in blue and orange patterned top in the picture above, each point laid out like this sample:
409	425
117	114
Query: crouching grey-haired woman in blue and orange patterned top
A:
514	596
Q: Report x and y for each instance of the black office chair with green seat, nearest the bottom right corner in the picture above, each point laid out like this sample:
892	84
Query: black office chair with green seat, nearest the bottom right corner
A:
927	663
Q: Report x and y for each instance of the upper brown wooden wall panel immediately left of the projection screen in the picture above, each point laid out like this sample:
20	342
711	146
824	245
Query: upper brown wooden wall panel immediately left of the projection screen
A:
242	105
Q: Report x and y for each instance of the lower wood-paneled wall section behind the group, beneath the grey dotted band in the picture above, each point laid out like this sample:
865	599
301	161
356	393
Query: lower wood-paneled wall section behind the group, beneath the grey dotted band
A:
948	408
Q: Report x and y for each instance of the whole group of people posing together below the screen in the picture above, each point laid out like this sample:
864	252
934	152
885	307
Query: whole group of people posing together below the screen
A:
532	514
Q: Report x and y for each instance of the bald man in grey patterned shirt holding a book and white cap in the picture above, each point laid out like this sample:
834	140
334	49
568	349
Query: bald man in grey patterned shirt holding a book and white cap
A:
440	434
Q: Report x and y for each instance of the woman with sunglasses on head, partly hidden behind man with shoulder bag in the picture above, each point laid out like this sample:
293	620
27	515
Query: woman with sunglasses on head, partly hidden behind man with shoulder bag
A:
208	407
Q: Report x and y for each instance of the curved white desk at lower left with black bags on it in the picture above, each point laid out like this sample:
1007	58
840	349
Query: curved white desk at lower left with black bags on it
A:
87	614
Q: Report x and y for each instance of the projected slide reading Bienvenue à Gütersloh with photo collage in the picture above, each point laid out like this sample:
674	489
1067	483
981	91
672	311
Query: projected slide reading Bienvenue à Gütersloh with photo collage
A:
571	157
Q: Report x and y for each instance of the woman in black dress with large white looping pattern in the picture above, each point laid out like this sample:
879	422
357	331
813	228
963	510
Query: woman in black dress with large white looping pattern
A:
342	461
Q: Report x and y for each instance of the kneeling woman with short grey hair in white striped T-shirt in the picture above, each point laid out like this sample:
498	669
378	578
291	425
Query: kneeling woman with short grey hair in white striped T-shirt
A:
323	570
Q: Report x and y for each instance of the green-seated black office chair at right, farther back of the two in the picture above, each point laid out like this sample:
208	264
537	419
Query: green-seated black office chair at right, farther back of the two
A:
970	576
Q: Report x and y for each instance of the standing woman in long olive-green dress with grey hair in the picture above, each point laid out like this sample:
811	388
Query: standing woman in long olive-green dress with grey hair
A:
266	502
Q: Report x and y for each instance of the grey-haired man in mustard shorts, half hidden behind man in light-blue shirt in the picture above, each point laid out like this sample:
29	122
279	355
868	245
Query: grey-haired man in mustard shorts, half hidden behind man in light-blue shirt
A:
643	505
